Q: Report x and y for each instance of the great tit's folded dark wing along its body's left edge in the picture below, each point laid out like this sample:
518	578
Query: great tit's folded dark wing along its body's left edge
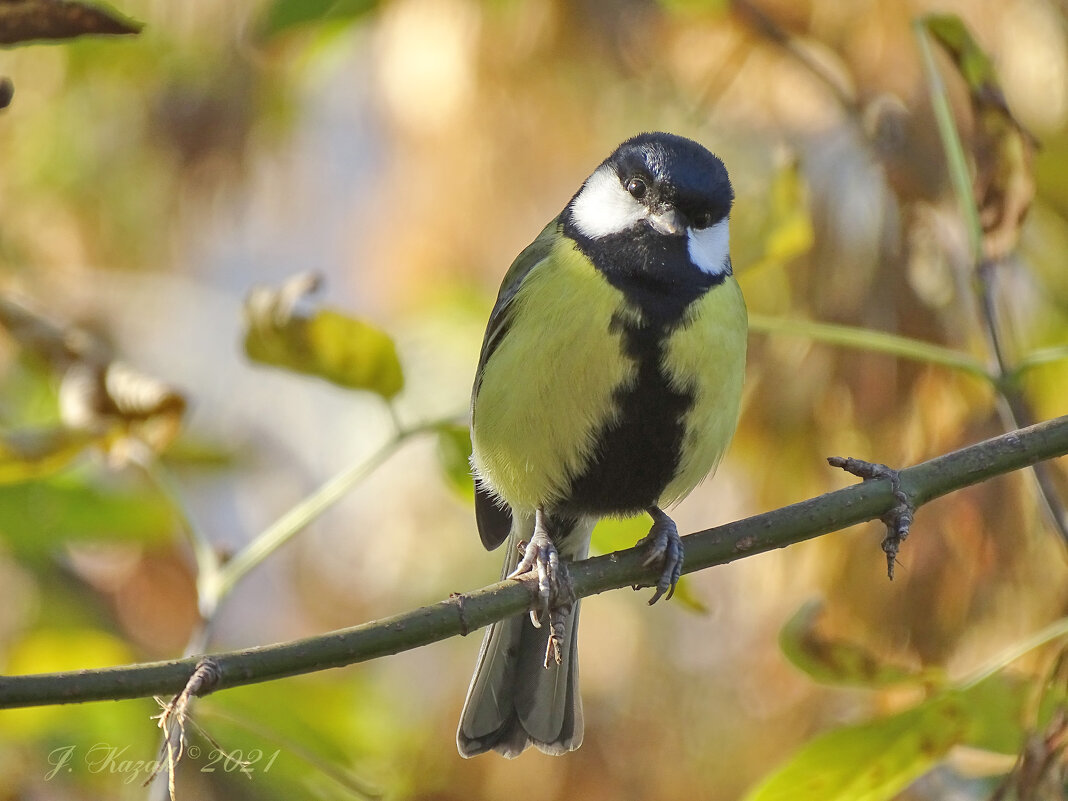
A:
495	522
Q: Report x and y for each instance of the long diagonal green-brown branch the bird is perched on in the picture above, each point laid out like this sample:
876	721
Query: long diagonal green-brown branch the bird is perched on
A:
461	615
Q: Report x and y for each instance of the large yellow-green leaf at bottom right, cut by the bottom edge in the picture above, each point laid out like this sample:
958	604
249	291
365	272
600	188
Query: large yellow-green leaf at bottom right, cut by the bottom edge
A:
871	762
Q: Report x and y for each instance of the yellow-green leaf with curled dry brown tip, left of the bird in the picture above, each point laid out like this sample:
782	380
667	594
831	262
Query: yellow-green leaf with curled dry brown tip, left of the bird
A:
326	343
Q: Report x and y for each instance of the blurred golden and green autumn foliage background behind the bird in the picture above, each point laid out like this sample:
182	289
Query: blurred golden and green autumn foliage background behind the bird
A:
406	151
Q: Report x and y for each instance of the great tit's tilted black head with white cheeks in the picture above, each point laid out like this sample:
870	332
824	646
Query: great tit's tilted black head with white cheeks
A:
654	217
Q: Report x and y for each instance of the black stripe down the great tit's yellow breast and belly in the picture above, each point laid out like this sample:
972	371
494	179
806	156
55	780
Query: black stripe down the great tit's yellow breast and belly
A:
636	459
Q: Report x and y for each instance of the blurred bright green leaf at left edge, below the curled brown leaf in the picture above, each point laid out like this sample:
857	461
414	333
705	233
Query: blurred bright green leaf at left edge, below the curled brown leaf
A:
38	516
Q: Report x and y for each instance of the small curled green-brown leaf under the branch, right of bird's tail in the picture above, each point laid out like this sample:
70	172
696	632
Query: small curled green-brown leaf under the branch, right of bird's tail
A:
837	662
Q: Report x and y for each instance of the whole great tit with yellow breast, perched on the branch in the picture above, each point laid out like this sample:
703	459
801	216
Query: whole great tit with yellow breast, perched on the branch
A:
609	385
